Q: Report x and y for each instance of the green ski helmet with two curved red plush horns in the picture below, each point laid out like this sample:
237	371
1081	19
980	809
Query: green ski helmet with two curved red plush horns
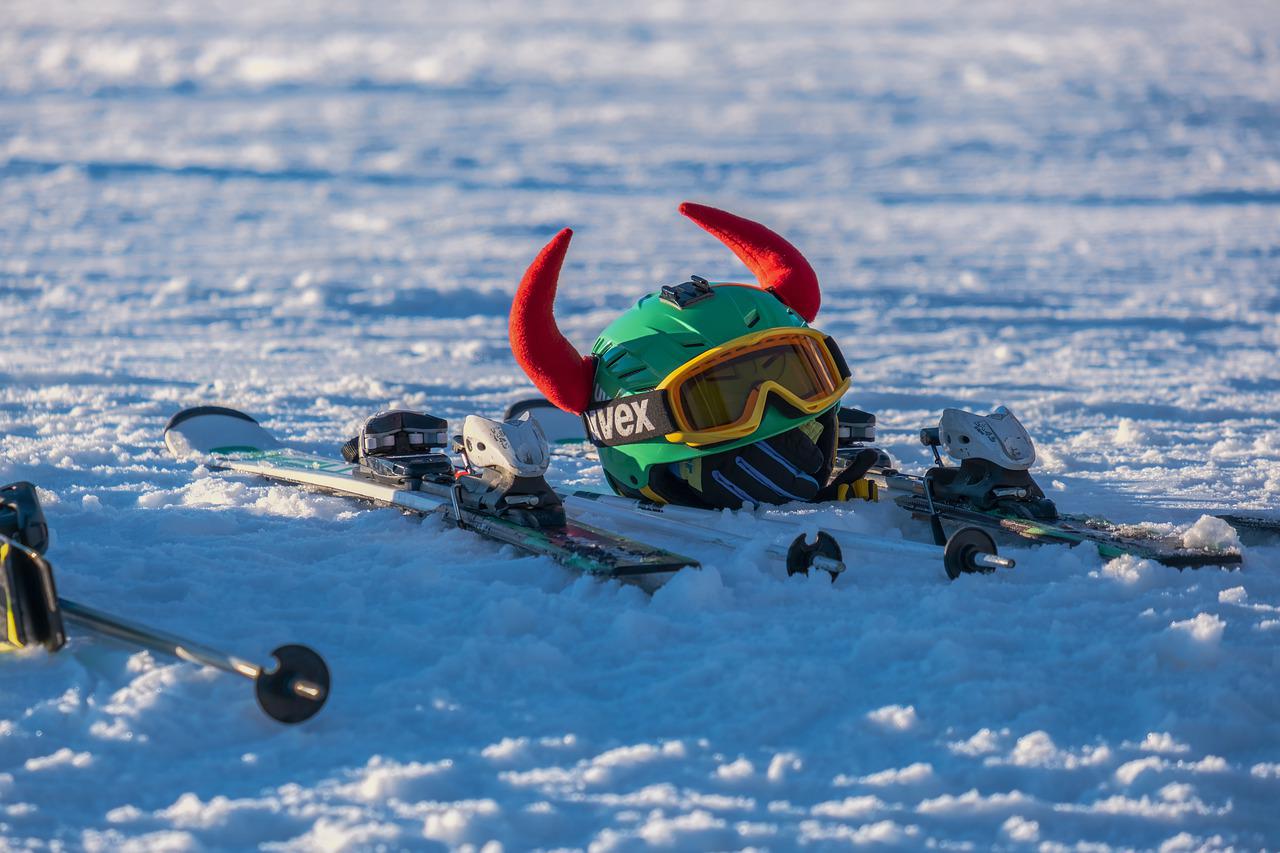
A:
660	335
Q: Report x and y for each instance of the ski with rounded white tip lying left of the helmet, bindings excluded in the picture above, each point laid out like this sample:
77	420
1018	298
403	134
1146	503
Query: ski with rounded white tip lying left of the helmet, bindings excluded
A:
240	444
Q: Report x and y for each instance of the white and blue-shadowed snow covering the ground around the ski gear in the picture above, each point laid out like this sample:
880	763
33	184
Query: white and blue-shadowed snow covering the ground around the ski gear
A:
310	212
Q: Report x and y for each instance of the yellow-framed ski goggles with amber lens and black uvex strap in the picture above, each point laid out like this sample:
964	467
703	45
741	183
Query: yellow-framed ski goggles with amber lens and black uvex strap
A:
723	395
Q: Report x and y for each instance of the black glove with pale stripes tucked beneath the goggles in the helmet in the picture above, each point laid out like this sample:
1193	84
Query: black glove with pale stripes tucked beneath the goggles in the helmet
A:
778	471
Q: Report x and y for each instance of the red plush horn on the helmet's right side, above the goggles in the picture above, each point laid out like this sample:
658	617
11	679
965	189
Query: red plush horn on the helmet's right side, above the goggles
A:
778	266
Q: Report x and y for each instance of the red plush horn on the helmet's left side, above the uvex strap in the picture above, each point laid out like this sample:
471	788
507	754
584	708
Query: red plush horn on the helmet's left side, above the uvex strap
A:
559	371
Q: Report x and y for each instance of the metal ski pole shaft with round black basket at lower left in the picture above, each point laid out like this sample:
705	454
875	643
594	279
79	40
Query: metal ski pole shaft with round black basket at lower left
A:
295	691
